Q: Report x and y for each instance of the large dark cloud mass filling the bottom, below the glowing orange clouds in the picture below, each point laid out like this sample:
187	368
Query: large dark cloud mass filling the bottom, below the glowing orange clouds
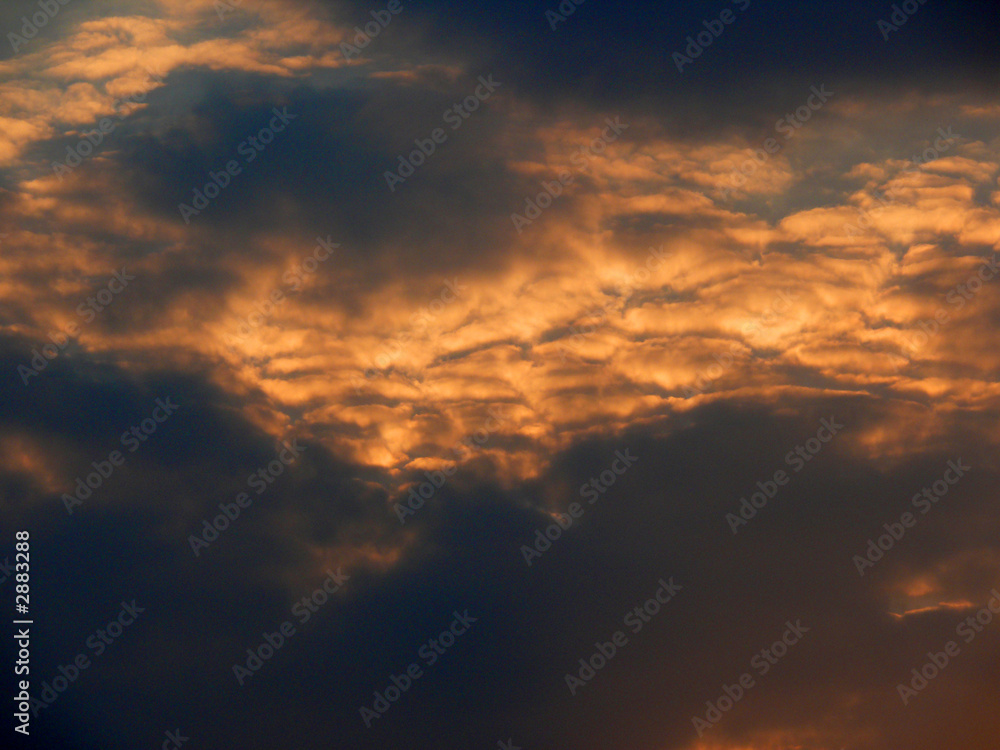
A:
663	518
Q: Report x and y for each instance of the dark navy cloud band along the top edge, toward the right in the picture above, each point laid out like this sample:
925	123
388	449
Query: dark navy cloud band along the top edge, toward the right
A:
616	57
